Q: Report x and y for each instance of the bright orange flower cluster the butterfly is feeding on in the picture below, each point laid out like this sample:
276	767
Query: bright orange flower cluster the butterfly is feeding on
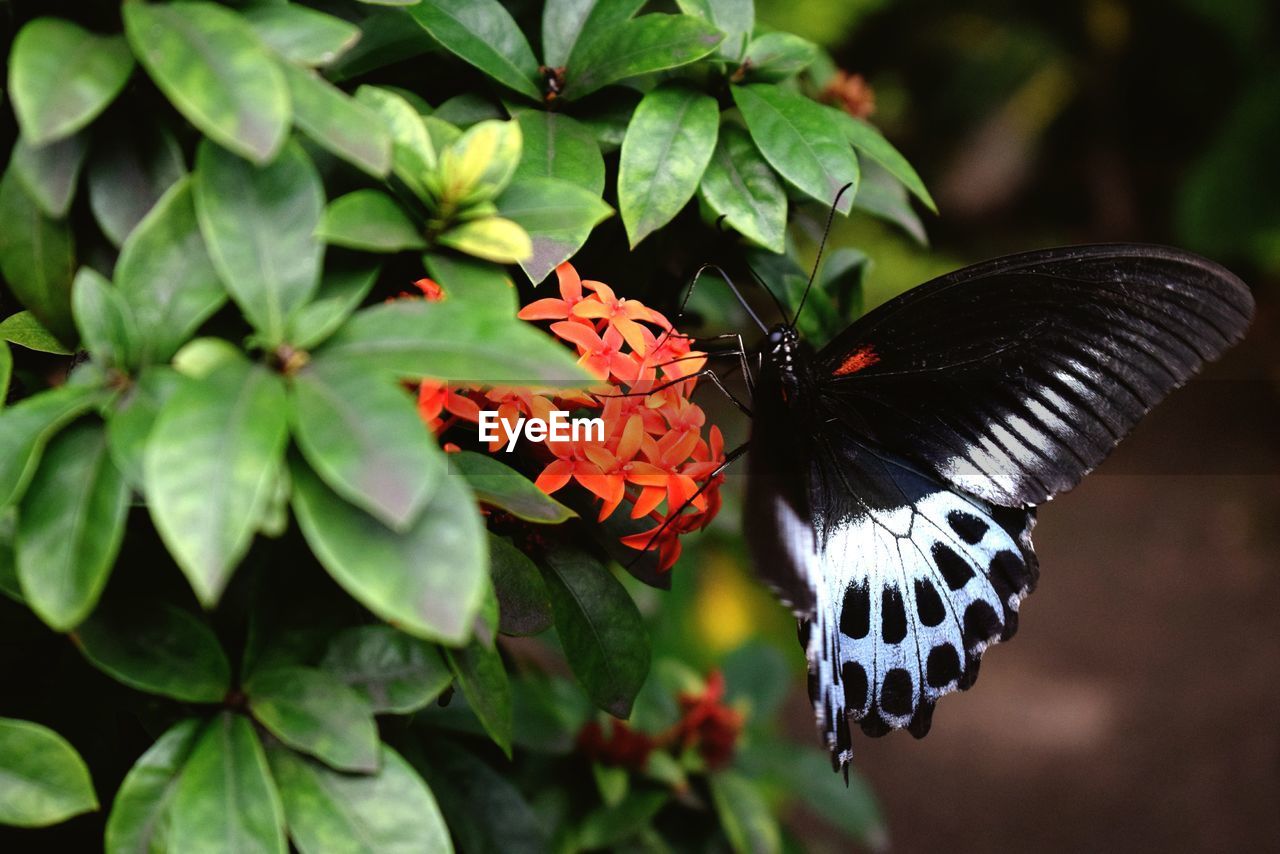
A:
655	456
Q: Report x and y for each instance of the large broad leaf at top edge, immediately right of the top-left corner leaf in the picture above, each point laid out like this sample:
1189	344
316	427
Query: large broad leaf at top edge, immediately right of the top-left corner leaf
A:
216	71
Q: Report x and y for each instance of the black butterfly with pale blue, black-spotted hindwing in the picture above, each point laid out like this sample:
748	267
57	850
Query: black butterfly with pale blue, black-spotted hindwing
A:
894	474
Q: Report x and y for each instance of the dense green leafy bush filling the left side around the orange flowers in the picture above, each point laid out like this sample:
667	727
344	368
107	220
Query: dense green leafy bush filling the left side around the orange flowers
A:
290	613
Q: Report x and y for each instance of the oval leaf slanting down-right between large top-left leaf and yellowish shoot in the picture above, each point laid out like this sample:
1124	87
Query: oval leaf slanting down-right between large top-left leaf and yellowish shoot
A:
337	122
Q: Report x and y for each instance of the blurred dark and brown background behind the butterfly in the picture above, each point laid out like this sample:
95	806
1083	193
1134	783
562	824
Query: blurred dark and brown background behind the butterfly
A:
1137	706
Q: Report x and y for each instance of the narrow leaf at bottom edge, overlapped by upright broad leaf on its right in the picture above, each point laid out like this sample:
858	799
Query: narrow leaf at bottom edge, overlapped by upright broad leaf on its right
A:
140	814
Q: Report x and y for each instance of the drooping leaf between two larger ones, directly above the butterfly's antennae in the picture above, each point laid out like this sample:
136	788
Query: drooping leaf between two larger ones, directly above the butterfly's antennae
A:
740	186
